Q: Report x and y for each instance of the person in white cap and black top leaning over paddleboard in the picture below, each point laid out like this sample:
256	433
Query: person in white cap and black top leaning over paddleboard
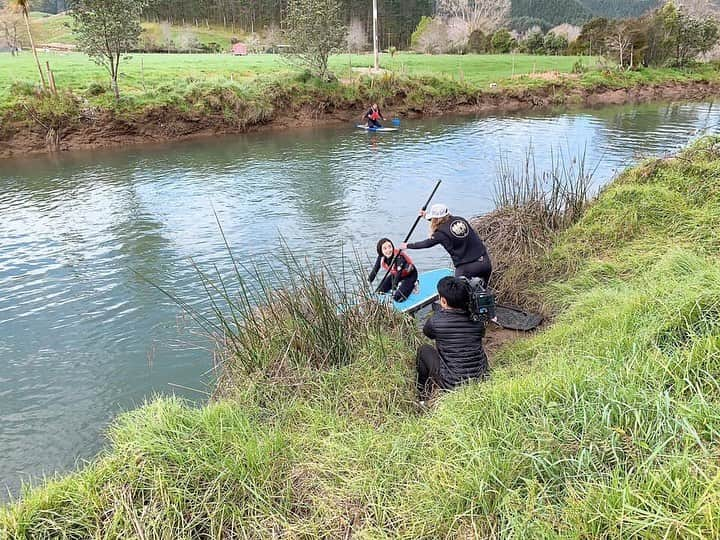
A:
459	239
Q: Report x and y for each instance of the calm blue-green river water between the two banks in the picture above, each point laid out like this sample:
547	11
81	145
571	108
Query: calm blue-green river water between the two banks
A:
83	337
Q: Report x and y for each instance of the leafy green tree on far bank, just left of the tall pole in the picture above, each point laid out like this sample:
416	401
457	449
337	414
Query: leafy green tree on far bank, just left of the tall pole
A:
314	29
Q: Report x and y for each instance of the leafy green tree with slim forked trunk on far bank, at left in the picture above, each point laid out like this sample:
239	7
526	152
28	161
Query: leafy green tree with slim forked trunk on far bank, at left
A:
105	29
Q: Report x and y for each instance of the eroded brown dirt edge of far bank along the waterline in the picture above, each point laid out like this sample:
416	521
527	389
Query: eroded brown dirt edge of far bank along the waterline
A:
103	129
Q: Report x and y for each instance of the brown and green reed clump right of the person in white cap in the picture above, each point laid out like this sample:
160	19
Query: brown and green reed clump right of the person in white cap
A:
531	207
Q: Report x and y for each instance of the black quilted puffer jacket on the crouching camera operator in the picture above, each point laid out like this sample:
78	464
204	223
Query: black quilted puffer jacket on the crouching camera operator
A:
459	342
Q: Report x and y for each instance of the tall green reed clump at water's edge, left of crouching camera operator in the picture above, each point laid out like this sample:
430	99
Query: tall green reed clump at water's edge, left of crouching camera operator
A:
294	319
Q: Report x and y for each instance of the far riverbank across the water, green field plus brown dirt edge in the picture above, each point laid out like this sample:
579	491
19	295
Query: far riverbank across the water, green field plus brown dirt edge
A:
167	97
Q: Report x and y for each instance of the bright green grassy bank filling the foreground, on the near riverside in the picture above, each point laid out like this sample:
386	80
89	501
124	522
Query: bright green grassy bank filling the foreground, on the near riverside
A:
604	425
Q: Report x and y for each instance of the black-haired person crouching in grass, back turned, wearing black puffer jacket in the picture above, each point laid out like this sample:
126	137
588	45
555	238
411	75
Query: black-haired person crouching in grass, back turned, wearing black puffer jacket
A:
459	356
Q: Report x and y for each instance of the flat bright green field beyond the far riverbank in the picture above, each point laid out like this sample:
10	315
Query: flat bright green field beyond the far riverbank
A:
76	71
